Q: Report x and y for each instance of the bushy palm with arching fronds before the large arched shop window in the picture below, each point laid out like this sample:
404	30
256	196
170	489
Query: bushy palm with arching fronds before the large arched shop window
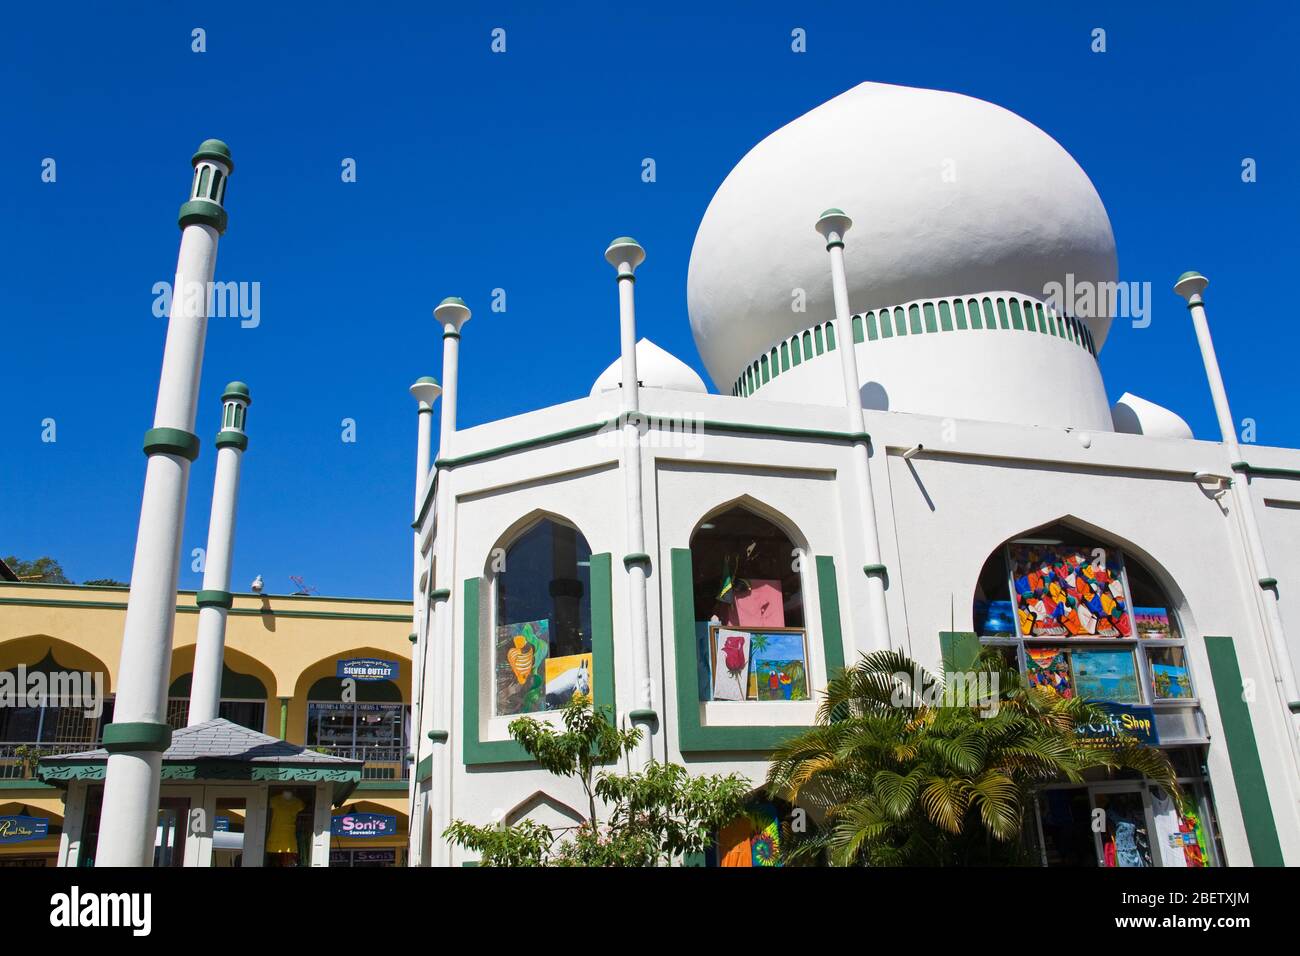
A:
904	772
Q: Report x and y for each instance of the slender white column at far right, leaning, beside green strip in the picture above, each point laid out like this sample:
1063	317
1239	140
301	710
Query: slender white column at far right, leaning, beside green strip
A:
1191	285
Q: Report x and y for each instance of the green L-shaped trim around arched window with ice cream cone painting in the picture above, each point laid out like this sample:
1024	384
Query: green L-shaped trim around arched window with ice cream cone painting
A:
478	617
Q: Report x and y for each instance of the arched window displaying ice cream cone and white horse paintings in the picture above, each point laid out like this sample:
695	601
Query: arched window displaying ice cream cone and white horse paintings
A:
543	599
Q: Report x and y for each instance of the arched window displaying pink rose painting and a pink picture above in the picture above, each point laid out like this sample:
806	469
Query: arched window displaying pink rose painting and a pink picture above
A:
749	611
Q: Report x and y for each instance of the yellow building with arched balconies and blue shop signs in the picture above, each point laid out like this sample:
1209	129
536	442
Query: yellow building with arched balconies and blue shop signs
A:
287	661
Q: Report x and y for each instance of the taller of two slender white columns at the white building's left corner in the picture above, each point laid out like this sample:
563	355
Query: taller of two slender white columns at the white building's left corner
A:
452	315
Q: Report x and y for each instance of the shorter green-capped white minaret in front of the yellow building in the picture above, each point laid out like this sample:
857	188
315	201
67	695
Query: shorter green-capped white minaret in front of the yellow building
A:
215	599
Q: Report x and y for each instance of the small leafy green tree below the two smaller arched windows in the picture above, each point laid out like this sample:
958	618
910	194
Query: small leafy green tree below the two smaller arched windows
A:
653	816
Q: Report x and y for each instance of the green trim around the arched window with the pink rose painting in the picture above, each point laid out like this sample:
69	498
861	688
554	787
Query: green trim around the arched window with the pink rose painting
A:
692	736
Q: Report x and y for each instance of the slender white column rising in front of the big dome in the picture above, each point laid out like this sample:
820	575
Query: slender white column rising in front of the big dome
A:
833	226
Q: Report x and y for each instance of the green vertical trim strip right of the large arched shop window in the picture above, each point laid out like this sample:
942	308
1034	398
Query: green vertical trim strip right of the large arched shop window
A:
1253	793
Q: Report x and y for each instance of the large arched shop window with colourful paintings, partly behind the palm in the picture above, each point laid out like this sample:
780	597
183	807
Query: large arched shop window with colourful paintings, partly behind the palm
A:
1078	616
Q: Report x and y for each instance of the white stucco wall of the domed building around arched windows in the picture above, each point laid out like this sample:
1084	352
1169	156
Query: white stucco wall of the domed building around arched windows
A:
941	514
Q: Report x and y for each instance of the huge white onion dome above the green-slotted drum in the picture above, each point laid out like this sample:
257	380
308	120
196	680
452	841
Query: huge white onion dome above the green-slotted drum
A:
951	196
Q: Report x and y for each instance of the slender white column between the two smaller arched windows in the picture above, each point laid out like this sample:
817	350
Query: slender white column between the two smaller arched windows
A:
625	254
